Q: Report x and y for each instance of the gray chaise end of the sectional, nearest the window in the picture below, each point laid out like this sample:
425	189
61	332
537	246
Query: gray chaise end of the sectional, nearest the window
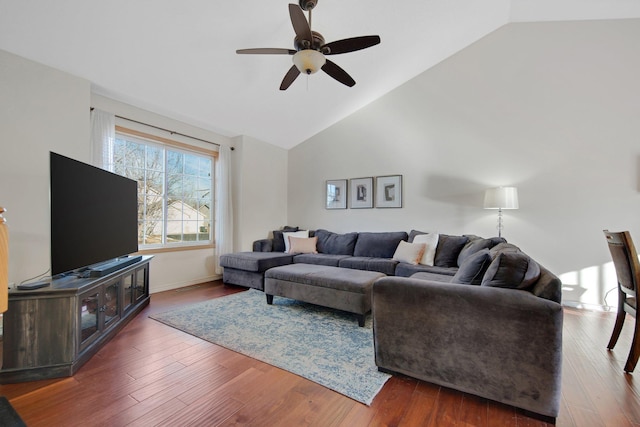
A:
247	268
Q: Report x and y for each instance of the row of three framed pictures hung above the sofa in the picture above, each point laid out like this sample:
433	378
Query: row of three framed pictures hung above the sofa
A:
364	193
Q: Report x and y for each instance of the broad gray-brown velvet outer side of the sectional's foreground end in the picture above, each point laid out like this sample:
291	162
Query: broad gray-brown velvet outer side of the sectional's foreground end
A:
501	344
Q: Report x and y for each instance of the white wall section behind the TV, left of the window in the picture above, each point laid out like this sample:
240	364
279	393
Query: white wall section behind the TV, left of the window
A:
41	110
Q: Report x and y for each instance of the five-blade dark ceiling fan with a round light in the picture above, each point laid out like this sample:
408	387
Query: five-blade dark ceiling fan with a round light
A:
310	48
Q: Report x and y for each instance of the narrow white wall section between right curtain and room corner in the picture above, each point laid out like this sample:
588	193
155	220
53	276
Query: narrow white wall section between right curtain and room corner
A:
260	190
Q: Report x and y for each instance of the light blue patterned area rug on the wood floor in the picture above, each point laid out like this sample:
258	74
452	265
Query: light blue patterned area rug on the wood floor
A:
323	345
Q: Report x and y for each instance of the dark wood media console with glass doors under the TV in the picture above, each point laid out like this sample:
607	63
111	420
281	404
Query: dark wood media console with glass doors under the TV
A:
51	332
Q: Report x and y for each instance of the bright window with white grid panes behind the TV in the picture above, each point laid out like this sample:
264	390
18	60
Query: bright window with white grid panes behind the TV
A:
175	189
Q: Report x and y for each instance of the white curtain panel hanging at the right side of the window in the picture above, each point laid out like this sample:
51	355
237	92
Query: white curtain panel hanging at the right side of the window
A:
224	207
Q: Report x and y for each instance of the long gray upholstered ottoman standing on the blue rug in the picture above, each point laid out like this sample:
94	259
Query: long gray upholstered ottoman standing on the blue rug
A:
341	288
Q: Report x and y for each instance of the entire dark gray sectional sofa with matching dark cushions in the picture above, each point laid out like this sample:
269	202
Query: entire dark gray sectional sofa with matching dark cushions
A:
484	319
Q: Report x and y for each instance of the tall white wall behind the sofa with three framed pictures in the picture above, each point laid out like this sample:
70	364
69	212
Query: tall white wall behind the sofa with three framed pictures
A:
548	107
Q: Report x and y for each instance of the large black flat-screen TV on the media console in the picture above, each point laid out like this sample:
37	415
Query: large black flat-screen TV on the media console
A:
94	215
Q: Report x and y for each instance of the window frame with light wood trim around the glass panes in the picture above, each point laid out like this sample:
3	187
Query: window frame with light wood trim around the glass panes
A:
168	144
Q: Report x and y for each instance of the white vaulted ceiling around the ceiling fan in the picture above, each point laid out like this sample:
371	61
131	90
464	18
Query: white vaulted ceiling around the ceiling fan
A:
178	58
